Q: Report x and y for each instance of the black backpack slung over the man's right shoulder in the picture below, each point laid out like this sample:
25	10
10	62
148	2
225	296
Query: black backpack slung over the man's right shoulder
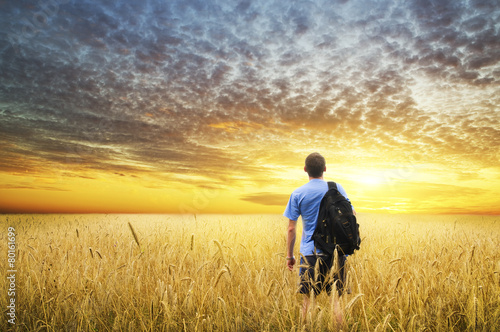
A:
336	226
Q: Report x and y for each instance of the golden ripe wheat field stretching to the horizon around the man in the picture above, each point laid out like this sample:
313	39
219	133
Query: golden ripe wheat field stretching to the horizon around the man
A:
227	273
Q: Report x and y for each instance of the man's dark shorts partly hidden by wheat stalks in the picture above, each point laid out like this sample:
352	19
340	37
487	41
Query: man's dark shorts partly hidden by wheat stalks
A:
323	281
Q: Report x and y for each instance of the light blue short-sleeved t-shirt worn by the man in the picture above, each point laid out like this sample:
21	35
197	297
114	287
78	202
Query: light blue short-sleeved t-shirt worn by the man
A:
305	201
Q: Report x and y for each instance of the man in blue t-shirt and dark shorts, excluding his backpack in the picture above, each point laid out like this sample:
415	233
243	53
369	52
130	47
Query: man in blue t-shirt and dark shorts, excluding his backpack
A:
305	202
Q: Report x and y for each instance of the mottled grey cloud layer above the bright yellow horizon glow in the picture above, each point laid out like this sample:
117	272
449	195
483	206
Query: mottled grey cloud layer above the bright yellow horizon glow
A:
155	85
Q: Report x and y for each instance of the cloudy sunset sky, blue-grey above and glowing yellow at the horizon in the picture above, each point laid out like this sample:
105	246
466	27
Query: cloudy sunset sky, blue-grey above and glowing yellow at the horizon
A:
212	106
